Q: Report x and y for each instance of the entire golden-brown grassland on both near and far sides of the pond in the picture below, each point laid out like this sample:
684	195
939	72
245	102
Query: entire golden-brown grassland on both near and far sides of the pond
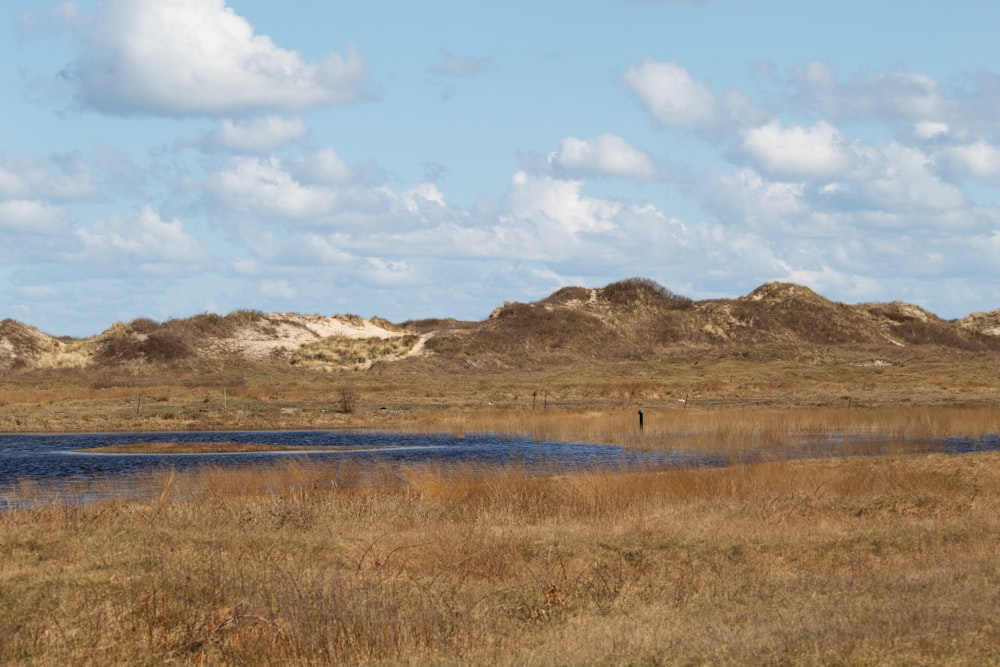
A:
854	560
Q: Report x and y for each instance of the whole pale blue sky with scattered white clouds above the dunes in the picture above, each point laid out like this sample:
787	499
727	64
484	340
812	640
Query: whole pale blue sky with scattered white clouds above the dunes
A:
165	158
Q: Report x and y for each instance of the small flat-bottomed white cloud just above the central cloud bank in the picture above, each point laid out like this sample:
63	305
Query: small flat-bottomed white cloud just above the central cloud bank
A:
606	155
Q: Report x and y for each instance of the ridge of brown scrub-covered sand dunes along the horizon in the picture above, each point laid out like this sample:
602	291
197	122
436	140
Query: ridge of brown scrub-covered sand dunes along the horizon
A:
632	319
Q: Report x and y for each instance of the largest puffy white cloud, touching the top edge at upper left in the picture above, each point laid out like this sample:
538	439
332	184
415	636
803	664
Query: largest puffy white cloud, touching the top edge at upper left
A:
200	57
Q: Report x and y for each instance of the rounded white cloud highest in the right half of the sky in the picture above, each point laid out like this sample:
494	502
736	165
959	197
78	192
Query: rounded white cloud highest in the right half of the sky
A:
668	92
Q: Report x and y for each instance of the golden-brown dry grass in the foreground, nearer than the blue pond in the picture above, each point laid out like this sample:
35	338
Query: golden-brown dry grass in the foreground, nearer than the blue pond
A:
888	560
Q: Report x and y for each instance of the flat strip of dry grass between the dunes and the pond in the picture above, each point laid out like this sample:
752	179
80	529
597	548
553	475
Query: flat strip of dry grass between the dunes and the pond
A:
236	393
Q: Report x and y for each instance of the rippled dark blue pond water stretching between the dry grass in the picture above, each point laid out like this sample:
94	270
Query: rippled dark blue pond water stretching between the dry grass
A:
62	459
